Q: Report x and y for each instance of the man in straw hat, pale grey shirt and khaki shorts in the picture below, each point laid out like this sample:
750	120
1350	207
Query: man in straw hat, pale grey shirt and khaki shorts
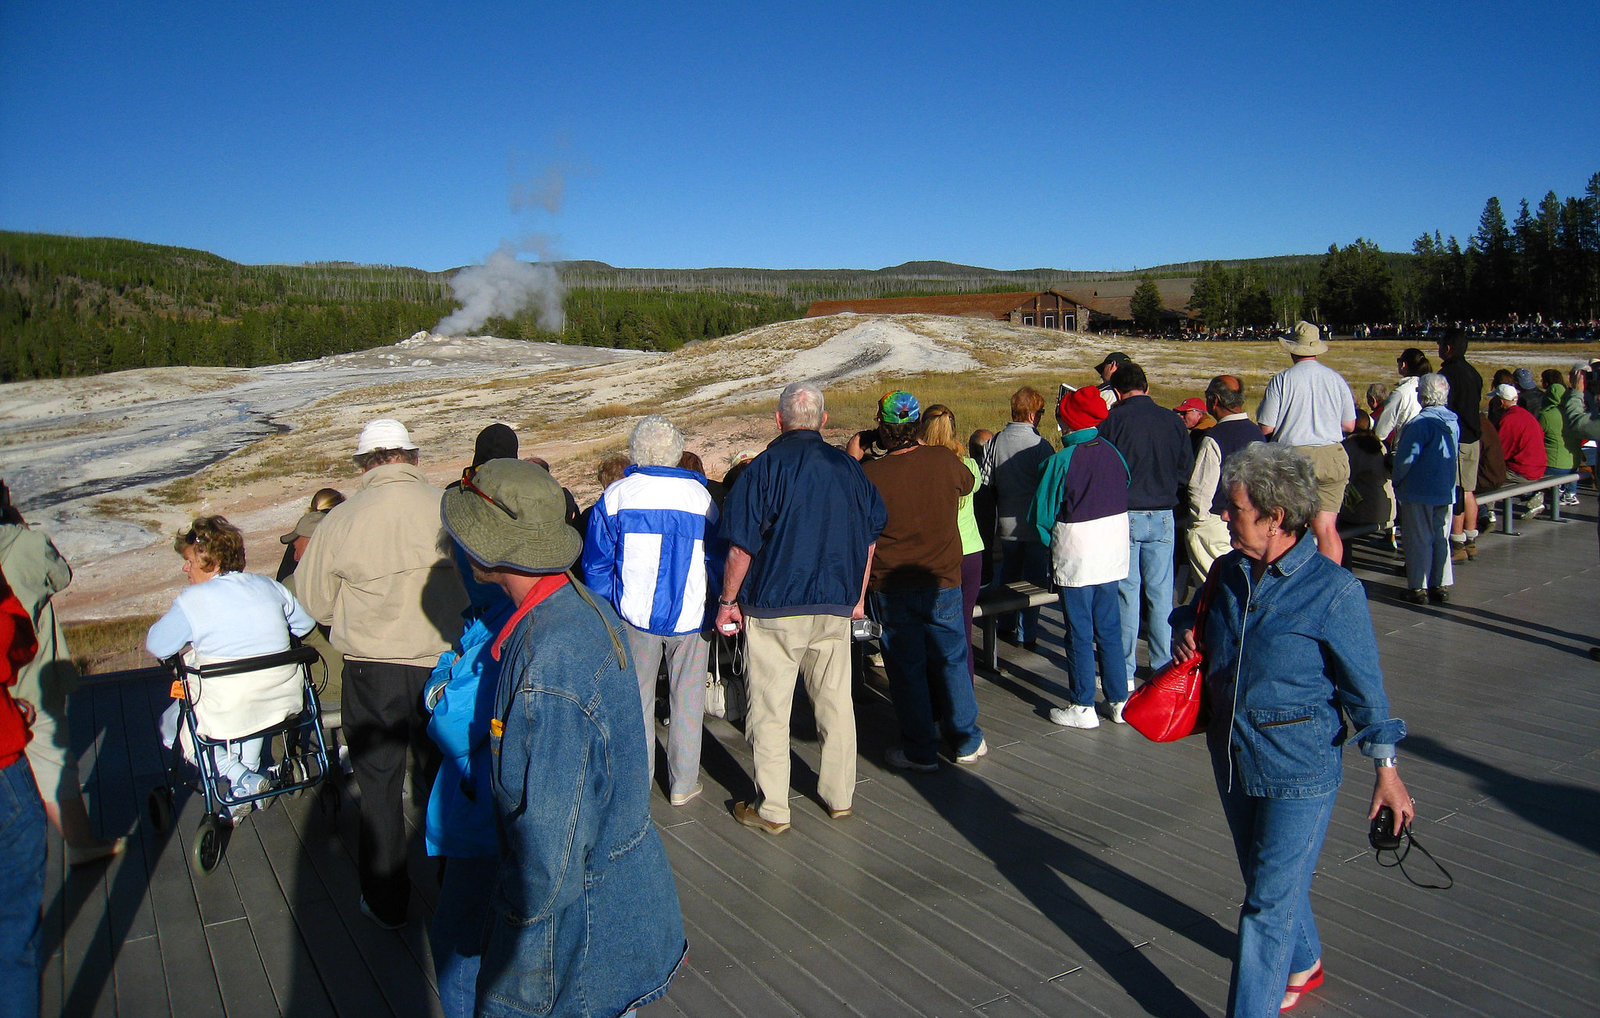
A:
1311	407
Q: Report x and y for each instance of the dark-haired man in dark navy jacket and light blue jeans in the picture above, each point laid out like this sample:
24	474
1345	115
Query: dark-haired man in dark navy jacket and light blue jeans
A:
1156	447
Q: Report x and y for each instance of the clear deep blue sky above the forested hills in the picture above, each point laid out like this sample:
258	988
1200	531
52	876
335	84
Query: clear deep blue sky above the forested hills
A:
788	135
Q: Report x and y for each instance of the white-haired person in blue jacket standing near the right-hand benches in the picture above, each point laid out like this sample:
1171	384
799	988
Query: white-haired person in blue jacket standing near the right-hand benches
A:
1426	487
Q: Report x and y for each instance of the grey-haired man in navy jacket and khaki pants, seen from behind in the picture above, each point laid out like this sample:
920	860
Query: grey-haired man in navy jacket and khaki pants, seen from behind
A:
801	524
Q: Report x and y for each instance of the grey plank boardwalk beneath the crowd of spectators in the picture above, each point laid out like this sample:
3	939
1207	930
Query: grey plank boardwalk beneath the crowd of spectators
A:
1070	873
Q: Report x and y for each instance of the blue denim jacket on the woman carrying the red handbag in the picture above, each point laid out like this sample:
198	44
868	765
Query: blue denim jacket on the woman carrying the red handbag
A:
1284	659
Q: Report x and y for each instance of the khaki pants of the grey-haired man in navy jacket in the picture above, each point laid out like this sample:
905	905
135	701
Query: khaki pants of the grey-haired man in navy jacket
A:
817	647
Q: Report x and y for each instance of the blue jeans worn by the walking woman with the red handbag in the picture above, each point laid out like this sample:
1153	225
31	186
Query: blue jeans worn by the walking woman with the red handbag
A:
1278	843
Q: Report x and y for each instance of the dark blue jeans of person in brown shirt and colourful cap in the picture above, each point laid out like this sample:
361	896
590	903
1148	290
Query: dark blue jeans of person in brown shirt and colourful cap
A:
926	655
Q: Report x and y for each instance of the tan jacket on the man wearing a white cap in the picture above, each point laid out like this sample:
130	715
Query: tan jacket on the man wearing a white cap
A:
382	572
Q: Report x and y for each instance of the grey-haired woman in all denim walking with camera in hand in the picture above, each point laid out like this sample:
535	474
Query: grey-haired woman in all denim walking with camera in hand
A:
1289	655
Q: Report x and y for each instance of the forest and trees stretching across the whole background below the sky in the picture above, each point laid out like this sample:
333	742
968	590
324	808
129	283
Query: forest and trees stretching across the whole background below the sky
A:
81	307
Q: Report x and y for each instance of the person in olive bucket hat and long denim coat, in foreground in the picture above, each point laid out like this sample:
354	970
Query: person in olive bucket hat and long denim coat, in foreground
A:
583	873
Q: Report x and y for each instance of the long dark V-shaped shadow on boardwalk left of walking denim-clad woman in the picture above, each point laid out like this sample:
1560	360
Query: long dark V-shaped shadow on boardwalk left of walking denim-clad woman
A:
1047	868
